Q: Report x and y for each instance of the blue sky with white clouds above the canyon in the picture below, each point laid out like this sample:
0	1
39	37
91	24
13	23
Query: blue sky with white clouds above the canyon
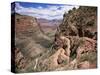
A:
42	10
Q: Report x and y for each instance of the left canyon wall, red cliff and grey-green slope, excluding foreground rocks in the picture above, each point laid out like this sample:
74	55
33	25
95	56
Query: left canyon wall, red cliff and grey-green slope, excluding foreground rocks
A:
29	36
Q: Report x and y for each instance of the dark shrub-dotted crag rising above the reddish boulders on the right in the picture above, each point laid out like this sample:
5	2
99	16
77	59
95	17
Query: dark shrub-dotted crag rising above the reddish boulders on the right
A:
80	22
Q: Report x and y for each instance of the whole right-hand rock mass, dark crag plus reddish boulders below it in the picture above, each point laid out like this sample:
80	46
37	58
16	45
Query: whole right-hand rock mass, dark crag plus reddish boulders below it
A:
80	27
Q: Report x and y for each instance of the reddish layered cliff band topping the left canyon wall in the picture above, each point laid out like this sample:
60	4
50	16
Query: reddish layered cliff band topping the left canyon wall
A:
26	25
